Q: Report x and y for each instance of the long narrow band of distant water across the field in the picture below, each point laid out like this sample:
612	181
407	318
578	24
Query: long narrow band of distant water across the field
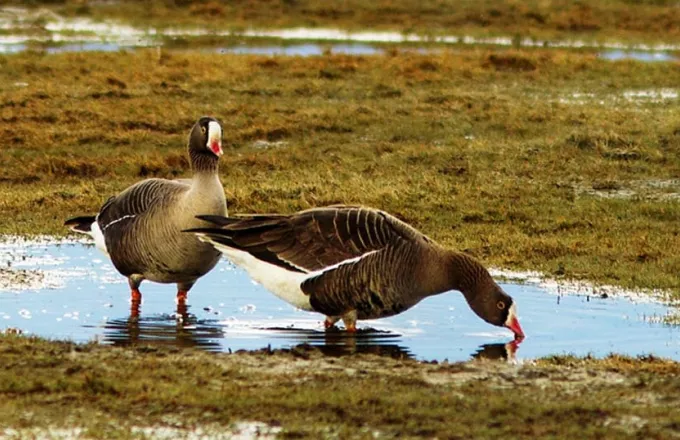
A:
61	34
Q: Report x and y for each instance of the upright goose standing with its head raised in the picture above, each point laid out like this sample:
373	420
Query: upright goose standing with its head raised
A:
140	228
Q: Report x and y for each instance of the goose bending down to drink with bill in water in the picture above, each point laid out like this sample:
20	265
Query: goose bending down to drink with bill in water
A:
354	263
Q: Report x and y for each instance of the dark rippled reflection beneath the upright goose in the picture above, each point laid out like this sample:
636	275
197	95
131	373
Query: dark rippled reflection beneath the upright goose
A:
180	330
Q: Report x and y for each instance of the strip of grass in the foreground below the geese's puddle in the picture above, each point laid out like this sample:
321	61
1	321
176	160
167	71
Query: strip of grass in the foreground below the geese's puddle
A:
107	391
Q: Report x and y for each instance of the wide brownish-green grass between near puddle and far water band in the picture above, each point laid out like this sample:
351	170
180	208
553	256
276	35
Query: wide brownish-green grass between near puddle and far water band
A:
503	154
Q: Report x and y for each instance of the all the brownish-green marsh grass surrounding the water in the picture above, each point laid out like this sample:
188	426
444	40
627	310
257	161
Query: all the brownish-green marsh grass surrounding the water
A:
530	159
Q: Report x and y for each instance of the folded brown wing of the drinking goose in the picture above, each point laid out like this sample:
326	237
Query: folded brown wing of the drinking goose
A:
311	240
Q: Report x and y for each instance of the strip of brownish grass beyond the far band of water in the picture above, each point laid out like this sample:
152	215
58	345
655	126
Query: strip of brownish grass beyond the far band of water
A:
622	20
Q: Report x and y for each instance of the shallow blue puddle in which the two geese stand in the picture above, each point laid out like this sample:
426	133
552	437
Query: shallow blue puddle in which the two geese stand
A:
228	312
